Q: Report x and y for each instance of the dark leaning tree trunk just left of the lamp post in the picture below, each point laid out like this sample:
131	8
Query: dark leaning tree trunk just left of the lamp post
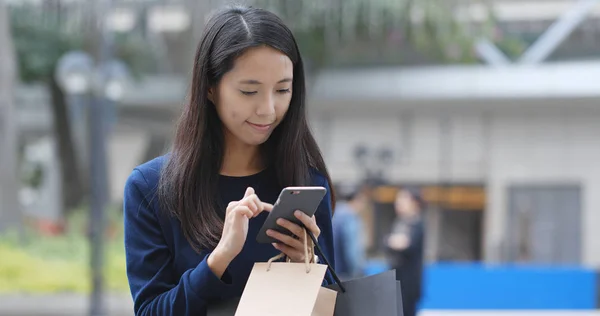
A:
74	188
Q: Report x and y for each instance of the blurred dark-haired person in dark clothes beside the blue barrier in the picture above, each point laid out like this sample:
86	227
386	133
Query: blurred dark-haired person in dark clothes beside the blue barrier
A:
405	246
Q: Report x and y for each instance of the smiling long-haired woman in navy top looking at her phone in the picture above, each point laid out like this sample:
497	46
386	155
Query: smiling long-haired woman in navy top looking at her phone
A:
191	217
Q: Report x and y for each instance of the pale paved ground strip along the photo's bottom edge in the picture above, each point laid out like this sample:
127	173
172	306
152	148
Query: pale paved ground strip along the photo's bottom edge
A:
72	305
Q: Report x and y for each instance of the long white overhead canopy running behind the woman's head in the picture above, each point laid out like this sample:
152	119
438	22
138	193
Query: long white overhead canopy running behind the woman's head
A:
548	85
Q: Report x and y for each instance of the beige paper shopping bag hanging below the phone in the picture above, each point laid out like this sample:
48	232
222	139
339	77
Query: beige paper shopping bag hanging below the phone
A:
285	288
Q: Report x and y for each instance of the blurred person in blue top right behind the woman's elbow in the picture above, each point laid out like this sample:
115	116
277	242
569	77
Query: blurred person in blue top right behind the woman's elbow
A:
348	230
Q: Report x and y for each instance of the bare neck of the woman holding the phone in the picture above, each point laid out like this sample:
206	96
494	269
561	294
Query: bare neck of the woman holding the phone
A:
240	159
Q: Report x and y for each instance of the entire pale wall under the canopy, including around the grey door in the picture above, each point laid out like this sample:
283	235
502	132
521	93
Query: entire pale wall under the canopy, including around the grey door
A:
496	147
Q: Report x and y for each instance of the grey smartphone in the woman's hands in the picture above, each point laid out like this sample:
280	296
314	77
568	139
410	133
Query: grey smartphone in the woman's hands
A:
291	199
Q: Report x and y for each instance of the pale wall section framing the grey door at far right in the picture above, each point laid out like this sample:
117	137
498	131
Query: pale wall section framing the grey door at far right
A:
545	148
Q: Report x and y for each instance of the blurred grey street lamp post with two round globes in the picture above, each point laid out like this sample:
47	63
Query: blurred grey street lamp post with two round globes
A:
78	76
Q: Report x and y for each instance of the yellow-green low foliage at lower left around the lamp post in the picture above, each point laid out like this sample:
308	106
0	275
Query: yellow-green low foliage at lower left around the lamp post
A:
59	264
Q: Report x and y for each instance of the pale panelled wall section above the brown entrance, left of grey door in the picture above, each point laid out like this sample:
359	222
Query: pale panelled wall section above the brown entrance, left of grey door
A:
425	149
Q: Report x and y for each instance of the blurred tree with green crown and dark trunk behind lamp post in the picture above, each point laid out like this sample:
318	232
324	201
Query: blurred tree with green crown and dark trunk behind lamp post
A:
42	36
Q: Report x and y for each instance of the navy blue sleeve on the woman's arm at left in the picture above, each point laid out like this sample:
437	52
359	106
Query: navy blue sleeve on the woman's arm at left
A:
154	288
